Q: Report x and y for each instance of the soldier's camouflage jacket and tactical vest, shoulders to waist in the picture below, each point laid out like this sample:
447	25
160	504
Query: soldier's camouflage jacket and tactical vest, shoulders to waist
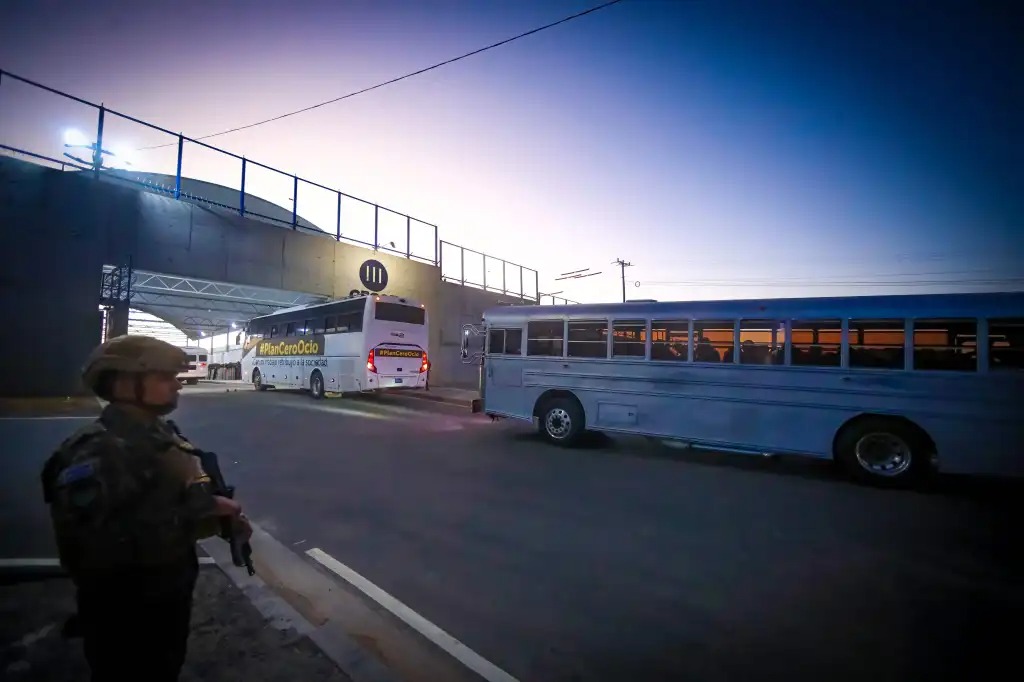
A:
116	500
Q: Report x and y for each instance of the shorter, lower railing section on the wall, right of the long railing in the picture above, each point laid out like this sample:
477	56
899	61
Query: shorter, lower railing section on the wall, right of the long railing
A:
475	269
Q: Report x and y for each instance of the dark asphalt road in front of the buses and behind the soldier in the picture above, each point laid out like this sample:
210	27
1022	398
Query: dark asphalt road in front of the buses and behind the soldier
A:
623	561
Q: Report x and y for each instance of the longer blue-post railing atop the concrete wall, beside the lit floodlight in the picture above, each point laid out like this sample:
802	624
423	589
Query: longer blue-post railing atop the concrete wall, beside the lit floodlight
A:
274	195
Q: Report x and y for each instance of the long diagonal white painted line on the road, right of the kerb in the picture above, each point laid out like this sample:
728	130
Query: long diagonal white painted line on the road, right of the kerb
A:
450	645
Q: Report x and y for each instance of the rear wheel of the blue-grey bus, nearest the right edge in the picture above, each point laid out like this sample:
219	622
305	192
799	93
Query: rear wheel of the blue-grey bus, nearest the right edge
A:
883	452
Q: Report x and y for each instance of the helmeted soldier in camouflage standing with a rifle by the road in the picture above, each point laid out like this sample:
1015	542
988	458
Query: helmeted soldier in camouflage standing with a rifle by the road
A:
129	501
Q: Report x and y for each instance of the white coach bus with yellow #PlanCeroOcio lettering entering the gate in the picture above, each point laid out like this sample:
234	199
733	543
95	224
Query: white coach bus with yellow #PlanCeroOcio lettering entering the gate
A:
362	344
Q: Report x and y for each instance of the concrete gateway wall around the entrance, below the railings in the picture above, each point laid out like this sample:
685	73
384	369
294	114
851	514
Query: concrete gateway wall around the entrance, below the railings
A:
59	230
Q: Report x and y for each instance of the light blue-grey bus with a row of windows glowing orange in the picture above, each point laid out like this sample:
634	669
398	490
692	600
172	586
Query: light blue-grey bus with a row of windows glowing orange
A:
890	387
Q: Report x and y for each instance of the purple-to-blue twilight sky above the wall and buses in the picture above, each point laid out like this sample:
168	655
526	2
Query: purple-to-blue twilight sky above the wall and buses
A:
783	147
